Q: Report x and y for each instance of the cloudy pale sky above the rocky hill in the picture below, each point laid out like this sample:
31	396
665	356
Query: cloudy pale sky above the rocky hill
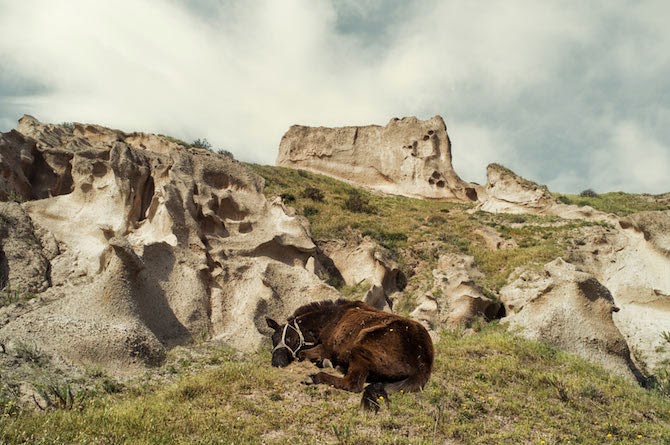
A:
571	94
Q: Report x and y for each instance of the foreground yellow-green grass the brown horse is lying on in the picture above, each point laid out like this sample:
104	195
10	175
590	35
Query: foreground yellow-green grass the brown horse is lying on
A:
490	387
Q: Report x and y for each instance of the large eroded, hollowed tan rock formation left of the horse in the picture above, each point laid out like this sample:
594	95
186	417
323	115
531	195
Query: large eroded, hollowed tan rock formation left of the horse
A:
139	243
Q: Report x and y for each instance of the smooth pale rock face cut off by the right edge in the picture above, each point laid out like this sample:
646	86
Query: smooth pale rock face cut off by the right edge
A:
632	261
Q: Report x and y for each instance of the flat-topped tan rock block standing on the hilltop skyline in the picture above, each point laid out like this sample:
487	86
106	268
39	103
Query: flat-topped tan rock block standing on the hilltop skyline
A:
406	157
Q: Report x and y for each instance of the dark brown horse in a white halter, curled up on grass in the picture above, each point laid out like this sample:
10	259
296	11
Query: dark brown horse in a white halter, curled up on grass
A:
390	352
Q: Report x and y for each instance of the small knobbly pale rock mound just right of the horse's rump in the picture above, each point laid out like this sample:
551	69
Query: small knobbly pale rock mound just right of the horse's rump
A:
455	300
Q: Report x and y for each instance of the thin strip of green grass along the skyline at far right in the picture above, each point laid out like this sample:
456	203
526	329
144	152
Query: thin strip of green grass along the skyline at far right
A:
619	203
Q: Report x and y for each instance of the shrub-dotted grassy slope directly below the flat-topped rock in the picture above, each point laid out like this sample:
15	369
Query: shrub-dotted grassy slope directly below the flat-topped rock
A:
418	231
